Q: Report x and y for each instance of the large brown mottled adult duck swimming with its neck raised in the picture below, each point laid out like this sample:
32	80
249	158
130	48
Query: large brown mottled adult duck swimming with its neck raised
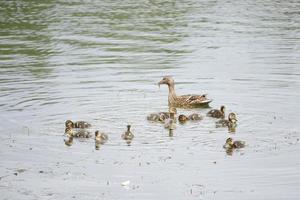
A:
184	101
